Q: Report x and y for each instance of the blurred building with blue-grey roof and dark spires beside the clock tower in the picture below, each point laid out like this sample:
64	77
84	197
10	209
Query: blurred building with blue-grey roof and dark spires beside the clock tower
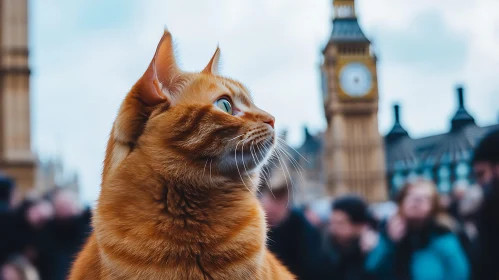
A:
444	158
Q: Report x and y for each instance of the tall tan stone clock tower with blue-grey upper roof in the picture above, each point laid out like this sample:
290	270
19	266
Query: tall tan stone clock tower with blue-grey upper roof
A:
354	158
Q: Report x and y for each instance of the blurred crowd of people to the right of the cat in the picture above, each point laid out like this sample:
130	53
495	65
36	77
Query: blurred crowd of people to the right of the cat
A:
428	235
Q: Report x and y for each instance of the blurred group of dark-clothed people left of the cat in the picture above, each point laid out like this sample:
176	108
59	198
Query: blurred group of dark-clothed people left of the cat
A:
39	237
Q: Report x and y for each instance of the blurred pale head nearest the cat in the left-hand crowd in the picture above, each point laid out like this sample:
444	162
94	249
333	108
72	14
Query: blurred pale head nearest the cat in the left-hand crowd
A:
66	204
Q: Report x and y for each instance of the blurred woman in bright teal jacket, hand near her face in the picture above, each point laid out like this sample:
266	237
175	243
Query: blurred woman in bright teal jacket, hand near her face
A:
419	243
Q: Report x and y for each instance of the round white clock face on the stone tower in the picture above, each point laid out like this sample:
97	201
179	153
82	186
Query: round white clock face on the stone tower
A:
355	79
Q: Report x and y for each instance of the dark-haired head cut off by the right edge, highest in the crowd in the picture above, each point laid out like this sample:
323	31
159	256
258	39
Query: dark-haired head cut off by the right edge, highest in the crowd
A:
486	159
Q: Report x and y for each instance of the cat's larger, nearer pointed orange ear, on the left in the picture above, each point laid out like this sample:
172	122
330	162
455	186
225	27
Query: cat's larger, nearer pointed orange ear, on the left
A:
157	81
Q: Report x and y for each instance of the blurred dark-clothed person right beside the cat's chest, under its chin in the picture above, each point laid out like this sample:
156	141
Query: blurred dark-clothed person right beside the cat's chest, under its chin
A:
291	237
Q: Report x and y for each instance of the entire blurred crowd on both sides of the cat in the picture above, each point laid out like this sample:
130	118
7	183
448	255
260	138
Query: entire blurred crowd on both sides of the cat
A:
426	235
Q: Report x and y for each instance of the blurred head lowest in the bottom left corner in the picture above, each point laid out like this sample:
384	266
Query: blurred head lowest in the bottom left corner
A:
18	268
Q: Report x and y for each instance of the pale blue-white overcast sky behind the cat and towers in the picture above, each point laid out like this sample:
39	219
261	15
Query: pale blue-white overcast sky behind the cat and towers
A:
86	54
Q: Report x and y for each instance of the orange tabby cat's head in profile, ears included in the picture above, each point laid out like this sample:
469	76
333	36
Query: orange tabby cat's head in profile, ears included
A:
201	121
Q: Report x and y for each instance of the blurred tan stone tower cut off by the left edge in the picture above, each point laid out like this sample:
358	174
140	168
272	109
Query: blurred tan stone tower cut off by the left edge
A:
16	158
